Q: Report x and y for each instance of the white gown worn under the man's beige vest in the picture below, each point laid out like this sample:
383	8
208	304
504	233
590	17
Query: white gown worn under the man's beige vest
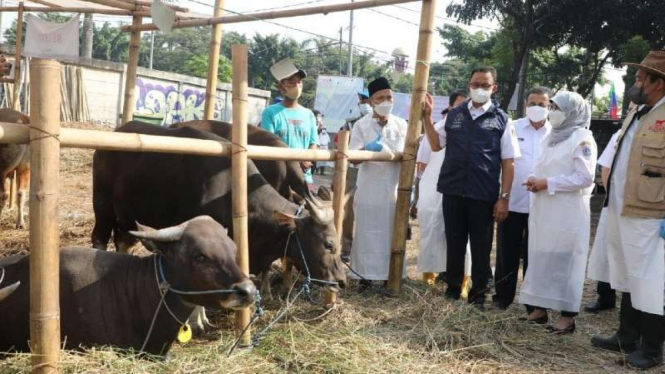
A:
636	252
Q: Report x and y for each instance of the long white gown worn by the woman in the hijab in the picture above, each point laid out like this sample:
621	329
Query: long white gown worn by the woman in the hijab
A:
559	225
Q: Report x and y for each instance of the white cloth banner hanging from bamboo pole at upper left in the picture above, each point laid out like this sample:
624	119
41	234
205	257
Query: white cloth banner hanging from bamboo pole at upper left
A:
51	40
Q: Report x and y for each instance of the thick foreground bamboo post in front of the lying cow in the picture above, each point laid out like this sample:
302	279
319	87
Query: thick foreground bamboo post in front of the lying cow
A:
44	235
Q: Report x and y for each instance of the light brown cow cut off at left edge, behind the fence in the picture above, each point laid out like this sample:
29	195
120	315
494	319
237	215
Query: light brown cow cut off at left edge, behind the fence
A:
15	157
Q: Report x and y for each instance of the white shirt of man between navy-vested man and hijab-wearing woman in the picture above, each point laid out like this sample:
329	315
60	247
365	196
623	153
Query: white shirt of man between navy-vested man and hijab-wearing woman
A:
530	145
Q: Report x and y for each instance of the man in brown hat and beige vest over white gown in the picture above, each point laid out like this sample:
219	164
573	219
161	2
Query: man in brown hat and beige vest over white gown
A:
636	206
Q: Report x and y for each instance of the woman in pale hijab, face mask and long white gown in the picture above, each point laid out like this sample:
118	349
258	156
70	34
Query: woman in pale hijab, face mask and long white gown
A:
559	222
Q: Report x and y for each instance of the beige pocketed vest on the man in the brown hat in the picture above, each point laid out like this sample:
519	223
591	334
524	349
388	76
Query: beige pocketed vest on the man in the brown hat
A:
645	178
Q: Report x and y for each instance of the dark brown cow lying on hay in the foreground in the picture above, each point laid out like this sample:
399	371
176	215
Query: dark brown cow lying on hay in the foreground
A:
130	302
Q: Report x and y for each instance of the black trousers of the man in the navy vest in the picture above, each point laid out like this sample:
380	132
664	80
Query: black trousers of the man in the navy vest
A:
468	220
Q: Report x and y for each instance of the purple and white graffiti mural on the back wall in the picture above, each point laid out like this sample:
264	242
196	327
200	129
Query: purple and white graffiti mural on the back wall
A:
163	99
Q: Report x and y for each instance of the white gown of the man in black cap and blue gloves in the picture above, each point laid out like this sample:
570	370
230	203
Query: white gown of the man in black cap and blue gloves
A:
375	198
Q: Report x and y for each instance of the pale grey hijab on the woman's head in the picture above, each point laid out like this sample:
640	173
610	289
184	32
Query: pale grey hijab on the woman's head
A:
578	116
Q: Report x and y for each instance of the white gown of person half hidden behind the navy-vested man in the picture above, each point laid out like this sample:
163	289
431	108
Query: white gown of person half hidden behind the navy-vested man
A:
432	255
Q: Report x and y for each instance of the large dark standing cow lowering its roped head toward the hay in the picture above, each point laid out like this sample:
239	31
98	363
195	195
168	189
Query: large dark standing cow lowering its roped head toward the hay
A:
162	188
